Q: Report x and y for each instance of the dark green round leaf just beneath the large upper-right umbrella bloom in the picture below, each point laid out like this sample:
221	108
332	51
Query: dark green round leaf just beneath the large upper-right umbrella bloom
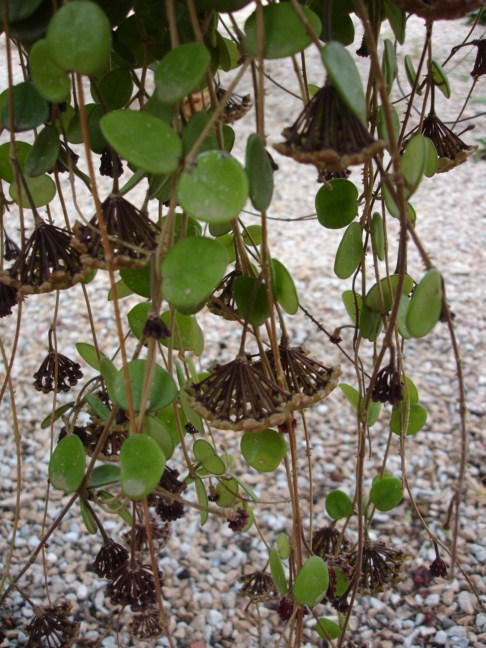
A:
337	203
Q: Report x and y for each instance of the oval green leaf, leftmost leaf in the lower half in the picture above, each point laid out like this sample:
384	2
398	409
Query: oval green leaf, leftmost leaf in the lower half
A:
67	464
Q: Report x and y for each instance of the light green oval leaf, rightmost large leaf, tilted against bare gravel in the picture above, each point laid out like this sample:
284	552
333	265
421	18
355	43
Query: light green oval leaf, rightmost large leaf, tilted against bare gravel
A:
426	305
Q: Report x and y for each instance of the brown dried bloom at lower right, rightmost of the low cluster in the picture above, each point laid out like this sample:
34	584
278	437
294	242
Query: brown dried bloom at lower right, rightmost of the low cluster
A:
380	568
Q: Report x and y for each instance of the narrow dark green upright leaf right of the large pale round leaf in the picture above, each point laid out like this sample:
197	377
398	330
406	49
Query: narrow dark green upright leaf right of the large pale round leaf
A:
260	174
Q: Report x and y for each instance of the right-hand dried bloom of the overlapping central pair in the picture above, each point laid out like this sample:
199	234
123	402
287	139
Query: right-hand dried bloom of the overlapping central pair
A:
308	380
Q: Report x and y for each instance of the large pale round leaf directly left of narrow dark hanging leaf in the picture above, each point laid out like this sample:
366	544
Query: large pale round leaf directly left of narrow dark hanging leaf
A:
215	189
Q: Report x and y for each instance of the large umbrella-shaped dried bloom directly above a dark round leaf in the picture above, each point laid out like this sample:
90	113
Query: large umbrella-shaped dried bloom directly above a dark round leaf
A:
328	135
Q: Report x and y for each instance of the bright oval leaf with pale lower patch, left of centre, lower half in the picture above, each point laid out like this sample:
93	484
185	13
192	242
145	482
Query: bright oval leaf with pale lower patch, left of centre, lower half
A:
142	464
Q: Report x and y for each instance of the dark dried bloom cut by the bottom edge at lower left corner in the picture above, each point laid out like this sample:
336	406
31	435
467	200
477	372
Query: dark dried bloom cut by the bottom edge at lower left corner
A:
51	627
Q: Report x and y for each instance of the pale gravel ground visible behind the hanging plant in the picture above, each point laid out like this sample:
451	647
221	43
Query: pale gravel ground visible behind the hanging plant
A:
202	565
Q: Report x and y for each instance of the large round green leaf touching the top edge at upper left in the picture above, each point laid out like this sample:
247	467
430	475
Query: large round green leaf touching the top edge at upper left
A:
79	37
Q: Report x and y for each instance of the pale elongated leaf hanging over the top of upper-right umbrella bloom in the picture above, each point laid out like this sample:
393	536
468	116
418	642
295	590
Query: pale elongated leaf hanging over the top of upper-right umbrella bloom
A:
344	76
